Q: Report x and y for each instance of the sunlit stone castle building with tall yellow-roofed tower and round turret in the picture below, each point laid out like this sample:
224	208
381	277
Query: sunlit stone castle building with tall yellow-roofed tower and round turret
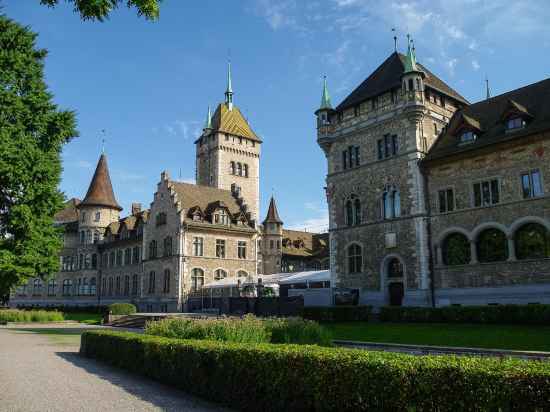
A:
191	234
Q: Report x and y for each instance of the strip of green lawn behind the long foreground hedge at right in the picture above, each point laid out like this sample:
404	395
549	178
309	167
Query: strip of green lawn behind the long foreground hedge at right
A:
515	337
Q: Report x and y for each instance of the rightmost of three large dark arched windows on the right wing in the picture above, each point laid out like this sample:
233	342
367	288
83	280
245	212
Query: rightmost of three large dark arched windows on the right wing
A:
532	241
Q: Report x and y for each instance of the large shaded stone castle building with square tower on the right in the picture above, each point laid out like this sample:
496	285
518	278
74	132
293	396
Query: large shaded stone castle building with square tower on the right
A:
433	201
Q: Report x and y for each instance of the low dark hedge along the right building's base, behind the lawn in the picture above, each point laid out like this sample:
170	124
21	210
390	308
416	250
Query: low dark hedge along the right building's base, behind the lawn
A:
504	314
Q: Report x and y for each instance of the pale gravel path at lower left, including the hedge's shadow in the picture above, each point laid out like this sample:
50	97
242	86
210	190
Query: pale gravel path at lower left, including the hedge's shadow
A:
44	372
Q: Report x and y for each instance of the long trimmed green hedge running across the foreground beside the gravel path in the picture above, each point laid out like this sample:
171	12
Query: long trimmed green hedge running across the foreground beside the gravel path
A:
309	378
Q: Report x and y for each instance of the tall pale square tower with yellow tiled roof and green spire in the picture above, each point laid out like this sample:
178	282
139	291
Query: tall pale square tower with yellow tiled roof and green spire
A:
228	153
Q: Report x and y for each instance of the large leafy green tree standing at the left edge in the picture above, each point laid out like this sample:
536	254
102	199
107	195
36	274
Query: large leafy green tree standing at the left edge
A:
32	133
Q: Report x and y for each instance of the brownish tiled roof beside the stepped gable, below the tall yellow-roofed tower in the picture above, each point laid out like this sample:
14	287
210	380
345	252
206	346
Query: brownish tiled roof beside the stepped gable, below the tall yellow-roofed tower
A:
205	197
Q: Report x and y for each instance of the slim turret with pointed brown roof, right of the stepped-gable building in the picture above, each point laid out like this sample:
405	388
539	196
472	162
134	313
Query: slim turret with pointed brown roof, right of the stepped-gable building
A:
272	237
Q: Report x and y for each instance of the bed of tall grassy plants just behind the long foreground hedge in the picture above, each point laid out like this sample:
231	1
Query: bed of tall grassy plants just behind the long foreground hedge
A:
246	330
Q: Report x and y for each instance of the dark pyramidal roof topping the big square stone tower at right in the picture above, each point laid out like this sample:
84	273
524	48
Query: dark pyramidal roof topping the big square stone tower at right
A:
388	76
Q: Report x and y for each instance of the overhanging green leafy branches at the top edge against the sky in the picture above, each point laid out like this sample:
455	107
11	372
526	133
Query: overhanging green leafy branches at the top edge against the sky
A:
100	9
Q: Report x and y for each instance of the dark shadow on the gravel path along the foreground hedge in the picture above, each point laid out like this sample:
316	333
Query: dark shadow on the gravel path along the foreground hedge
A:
162	396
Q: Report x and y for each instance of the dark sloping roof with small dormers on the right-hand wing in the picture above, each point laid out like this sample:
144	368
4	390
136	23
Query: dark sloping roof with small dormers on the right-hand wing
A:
532	102
